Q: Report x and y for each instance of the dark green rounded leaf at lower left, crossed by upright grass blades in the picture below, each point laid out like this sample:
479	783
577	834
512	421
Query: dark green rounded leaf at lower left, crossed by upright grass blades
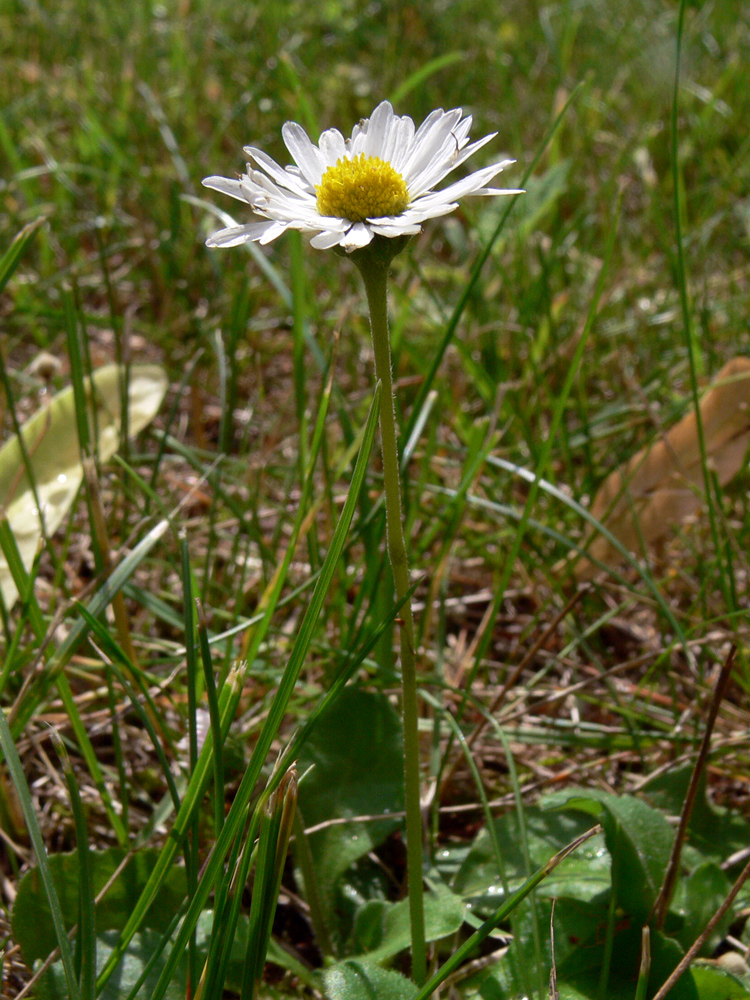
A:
32	921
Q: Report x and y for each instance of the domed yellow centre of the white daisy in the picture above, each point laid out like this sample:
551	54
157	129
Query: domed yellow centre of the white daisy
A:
364	187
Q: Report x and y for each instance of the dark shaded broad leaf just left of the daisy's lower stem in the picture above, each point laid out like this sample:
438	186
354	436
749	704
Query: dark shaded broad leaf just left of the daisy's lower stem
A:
356	755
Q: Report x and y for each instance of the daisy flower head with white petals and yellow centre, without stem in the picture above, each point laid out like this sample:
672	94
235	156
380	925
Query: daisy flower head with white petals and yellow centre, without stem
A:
346	191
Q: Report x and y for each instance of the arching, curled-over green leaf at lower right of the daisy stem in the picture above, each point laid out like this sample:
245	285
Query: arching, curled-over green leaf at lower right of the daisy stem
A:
638	838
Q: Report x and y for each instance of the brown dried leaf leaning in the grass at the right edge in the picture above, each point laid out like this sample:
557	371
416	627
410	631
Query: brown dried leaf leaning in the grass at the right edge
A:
659	487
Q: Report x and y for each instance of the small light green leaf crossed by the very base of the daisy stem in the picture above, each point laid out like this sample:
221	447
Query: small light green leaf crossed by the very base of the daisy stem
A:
383	929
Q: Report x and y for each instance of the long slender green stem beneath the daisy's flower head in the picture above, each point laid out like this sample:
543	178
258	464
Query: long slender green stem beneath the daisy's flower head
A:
374	269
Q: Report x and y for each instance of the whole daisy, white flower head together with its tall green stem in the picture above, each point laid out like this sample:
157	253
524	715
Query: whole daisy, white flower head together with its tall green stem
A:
367	195
